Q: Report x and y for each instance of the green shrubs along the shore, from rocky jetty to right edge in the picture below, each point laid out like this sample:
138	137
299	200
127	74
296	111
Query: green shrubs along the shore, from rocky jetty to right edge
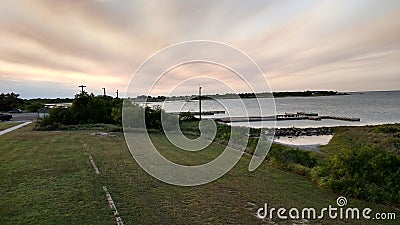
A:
360	162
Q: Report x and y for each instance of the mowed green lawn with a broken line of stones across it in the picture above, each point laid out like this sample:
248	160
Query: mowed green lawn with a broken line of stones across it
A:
47	178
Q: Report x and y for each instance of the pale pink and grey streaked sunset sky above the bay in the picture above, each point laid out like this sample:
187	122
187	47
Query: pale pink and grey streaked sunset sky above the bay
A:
50	47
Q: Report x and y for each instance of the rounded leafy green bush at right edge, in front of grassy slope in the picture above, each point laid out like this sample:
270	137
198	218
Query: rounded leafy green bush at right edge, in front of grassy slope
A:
366	173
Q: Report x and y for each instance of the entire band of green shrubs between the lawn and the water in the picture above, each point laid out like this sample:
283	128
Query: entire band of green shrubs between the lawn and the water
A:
364	164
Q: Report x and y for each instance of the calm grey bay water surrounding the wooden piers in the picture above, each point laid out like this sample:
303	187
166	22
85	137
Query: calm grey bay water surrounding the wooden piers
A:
372	107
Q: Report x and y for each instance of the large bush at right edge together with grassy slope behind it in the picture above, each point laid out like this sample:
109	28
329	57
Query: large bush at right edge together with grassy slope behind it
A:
363	162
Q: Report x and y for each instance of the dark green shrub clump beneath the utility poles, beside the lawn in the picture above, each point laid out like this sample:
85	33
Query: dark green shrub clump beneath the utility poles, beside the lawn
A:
89	109
